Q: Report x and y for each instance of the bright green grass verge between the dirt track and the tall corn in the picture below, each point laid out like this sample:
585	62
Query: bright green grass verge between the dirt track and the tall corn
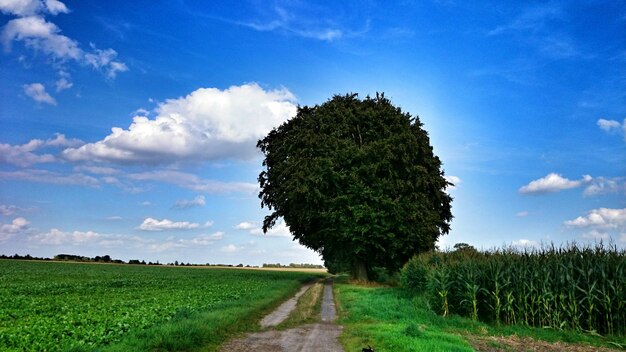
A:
389	320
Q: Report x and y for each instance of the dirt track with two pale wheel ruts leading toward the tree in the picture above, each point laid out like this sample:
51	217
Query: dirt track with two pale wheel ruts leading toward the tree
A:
311	337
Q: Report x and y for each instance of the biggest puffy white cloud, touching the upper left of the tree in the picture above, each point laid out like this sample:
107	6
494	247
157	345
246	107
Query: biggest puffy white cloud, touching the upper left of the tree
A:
208	124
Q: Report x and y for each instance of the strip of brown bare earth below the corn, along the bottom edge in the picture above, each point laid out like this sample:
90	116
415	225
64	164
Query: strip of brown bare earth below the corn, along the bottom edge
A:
516	343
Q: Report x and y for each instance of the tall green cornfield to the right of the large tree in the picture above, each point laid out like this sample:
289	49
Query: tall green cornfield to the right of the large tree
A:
579	288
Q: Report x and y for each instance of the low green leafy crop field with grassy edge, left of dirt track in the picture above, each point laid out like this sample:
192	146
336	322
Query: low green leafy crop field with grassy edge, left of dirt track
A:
52	306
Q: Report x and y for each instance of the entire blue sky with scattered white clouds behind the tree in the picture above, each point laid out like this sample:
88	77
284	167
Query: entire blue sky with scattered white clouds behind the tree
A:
128	128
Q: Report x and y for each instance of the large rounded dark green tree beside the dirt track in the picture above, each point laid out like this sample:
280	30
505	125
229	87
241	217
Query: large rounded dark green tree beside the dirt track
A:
357	181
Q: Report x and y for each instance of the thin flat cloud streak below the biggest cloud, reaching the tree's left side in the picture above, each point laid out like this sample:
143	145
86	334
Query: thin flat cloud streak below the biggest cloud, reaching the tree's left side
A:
193	182
